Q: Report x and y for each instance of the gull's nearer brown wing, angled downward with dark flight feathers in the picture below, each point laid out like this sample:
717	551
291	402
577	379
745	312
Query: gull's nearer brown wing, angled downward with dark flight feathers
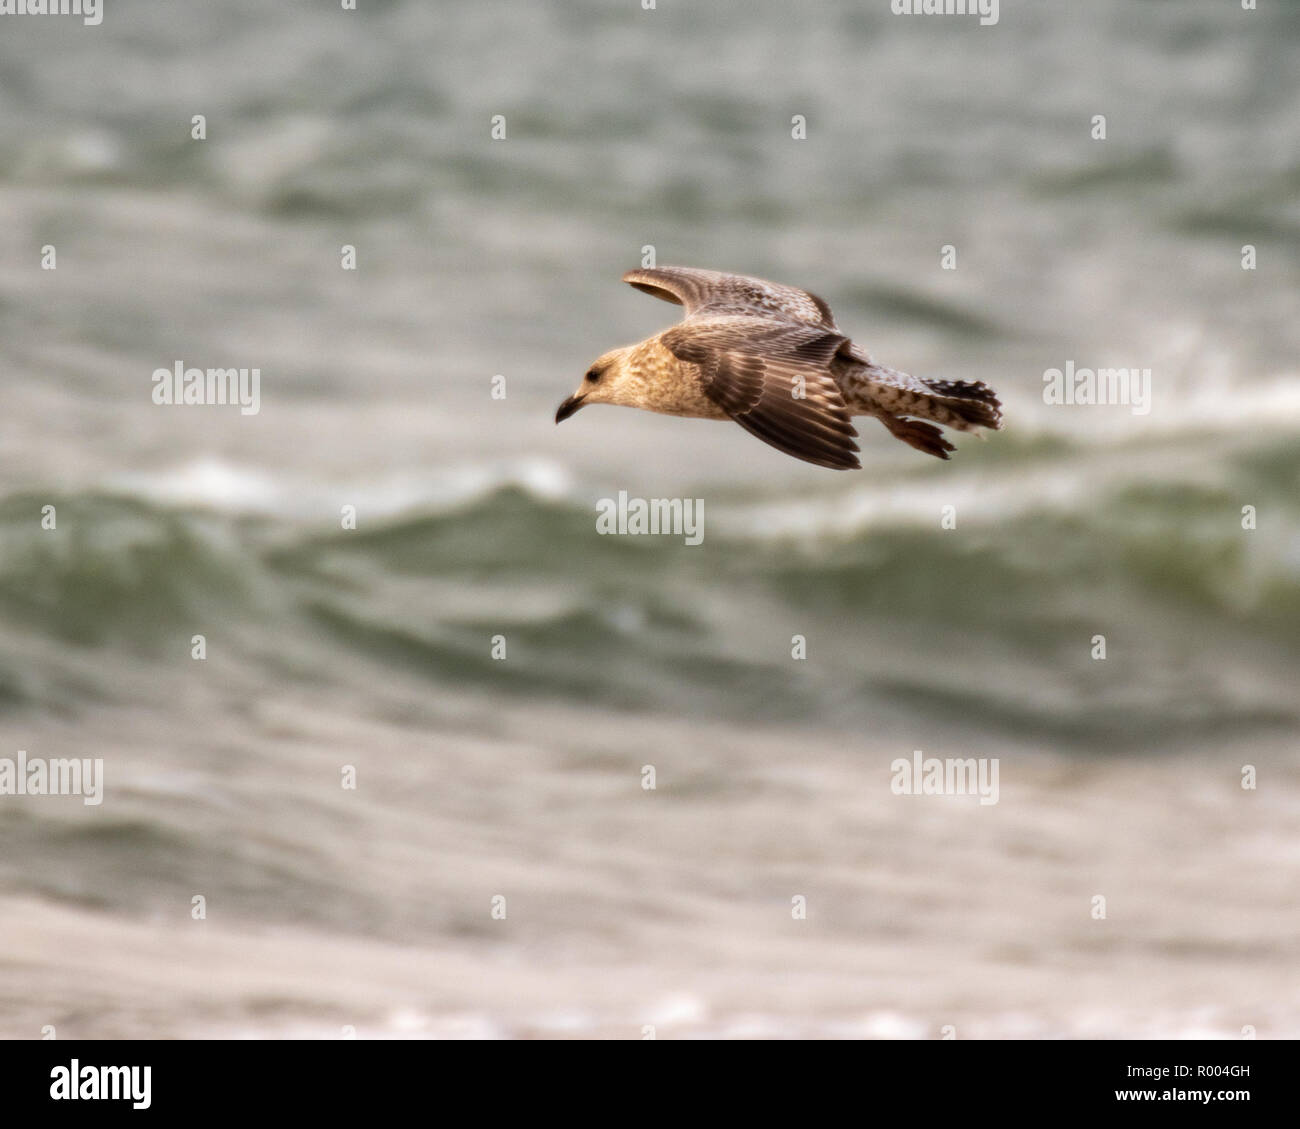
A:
773	378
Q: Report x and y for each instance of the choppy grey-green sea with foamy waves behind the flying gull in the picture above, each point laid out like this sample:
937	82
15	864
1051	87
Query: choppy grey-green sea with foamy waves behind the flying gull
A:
371	648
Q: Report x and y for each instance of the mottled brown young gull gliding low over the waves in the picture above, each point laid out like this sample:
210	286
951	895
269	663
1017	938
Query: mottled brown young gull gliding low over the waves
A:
773	360
